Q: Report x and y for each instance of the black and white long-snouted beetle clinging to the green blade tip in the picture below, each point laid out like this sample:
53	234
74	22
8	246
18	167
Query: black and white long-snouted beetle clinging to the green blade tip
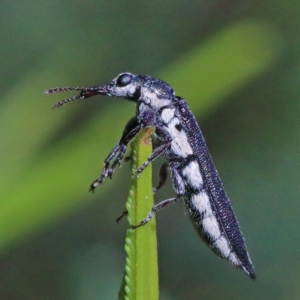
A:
194	176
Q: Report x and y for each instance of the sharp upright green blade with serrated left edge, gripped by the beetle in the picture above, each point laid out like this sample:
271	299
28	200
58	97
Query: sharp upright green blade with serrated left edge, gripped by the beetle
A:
141	246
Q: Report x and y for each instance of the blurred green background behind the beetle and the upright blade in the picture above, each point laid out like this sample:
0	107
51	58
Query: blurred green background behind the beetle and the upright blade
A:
236	62
